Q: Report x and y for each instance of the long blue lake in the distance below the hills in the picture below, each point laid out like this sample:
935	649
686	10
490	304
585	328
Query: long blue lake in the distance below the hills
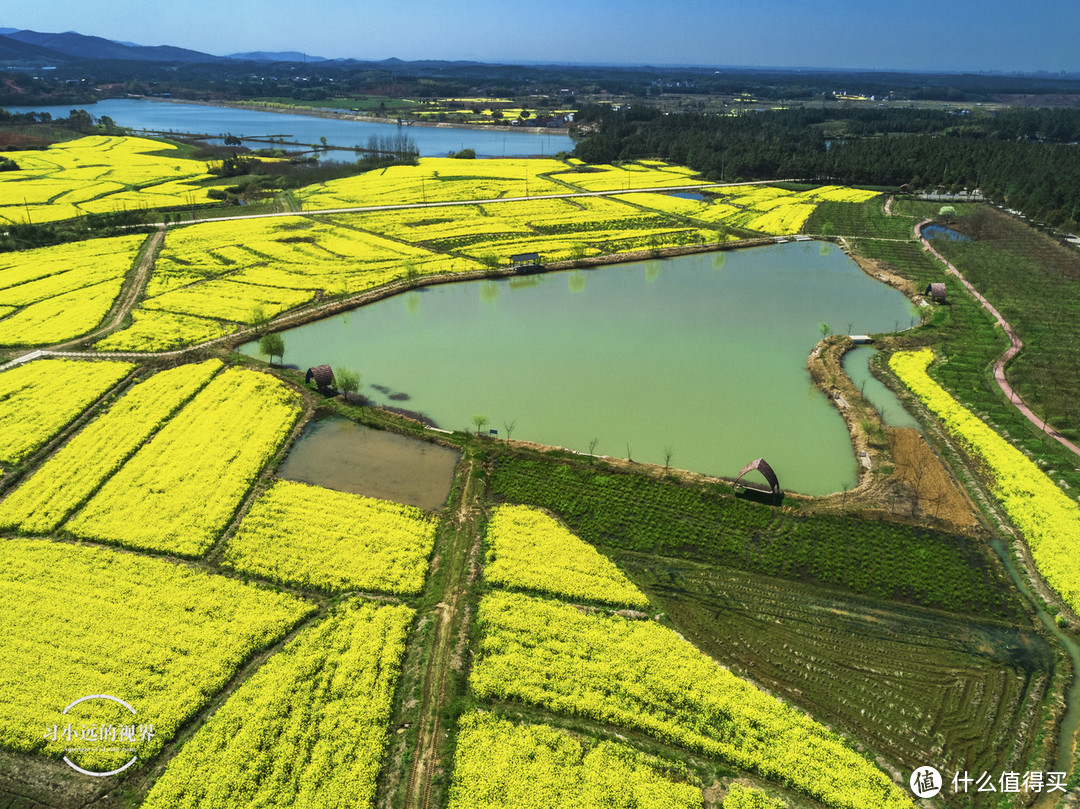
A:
199	118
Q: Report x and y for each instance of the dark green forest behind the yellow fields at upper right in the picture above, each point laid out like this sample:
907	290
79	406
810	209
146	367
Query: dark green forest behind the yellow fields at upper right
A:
1028	159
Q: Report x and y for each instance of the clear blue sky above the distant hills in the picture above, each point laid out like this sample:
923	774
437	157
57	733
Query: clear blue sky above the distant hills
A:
946	35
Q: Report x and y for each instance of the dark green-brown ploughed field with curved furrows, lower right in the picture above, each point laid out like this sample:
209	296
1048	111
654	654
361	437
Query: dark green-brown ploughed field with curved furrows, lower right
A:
917	685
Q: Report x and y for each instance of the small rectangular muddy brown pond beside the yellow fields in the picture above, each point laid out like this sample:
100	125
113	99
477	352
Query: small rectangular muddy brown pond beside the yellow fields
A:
345	456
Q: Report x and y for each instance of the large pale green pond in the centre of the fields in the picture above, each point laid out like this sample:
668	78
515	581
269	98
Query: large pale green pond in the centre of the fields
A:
704	357
